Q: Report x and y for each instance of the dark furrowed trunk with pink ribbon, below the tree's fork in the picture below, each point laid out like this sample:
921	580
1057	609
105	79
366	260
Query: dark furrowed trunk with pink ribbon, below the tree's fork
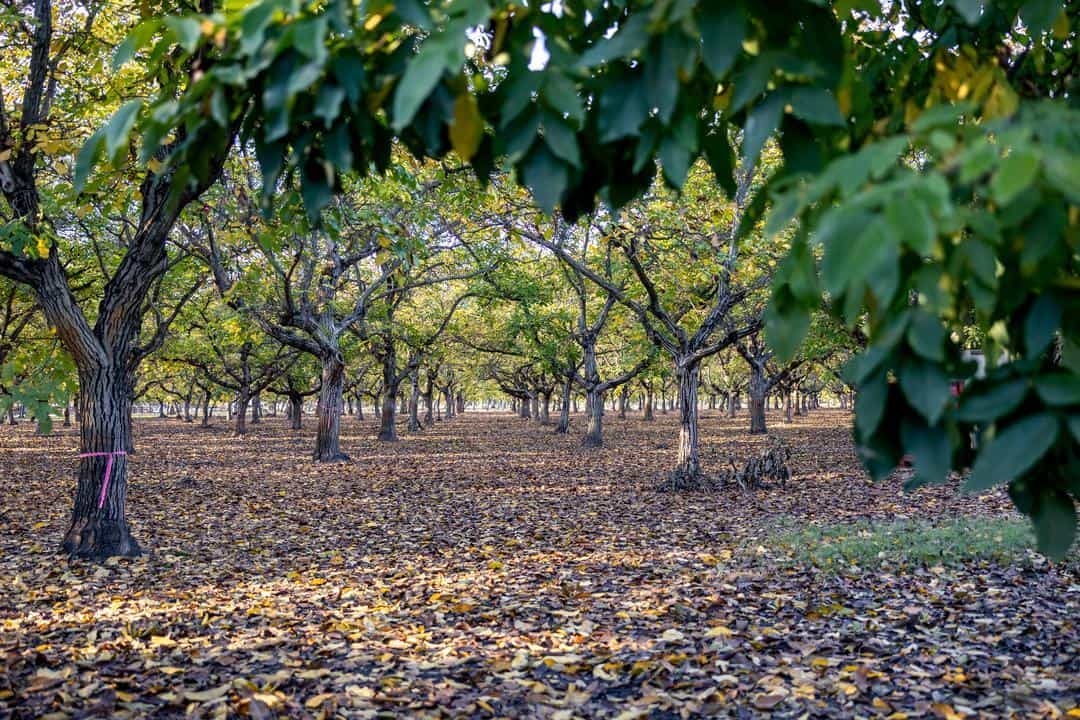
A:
99	526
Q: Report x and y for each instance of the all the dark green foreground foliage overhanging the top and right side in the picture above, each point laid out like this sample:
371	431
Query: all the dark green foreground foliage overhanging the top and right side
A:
988	234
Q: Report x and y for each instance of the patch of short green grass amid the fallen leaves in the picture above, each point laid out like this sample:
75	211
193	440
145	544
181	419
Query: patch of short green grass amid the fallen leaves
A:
908	542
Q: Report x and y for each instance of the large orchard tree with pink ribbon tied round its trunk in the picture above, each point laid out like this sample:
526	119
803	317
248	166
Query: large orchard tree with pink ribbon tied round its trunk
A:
42	113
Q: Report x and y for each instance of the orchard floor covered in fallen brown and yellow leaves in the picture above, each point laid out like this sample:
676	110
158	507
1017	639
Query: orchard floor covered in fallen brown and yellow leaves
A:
489	567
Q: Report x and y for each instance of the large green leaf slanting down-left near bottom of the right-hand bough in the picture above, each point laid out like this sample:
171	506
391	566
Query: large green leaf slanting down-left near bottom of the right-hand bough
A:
1012	453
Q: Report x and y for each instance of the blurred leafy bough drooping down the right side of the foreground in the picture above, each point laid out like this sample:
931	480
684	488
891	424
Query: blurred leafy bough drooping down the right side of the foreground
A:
984	235
